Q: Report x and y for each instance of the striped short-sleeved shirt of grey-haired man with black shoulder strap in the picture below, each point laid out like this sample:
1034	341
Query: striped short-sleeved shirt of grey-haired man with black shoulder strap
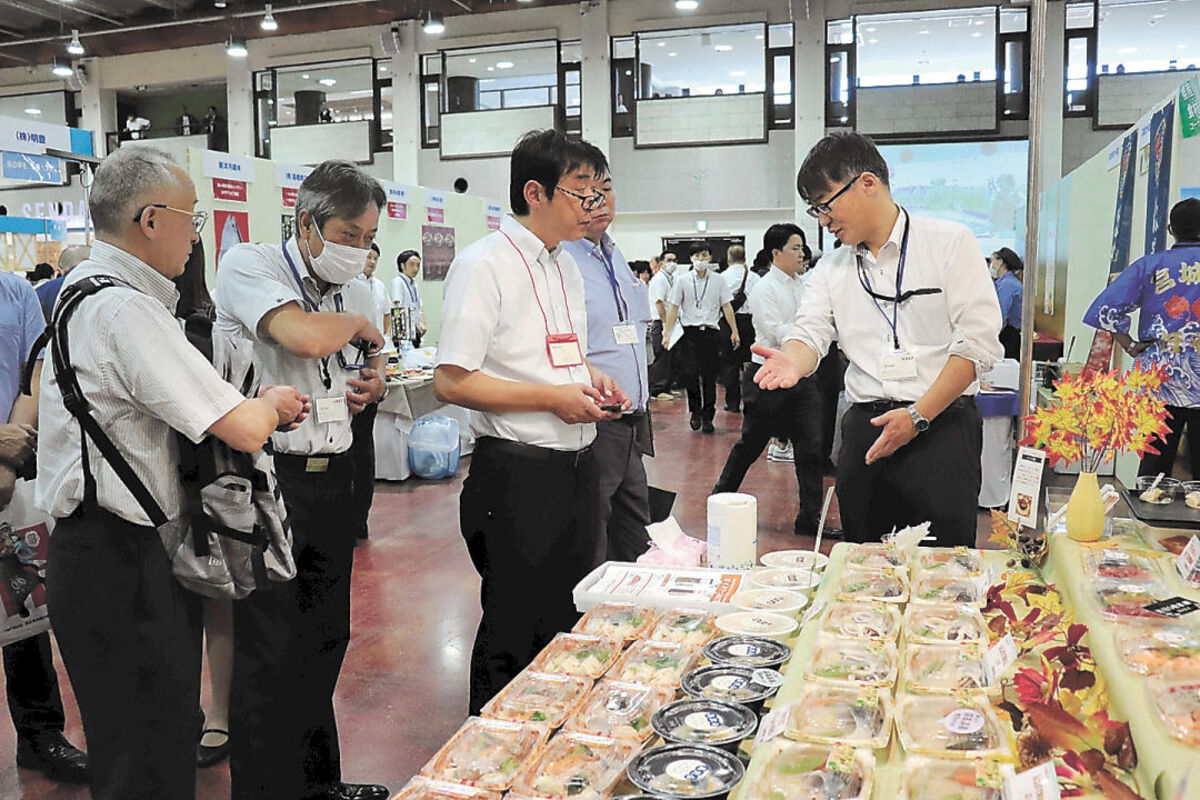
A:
142	380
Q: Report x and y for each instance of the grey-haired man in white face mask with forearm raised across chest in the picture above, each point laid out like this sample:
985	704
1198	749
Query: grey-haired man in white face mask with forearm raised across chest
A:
311	327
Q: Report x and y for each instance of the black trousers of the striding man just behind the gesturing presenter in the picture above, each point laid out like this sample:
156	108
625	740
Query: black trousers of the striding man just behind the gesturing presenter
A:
793	414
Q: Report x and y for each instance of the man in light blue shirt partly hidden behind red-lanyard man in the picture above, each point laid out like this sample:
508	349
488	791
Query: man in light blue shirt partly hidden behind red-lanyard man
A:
619	317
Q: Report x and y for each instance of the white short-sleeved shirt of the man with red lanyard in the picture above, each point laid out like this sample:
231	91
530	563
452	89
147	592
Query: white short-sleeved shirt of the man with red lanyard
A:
491	322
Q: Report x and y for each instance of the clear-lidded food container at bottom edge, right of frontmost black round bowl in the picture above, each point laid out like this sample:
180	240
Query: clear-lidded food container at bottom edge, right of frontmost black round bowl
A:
793	771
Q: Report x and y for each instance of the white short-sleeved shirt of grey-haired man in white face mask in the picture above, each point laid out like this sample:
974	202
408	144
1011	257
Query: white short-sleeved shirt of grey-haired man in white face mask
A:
255	280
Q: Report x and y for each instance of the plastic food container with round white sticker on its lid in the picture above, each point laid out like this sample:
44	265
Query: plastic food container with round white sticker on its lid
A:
950	726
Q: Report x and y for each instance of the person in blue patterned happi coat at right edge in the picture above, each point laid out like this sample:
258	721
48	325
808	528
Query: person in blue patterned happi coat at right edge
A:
1166	288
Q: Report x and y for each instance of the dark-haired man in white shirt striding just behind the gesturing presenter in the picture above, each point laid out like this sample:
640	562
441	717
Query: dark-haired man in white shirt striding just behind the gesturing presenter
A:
793	413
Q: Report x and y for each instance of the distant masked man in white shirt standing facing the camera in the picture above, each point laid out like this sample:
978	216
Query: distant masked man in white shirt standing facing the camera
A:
698	300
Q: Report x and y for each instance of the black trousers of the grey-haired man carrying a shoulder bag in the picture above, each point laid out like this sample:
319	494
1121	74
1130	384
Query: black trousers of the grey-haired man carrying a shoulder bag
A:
130	637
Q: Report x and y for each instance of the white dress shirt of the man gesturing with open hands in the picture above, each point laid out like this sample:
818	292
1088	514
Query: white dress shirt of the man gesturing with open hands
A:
963	318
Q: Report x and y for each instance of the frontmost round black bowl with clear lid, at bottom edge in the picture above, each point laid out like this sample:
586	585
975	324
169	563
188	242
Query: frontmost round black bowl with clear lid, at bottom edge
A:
682	772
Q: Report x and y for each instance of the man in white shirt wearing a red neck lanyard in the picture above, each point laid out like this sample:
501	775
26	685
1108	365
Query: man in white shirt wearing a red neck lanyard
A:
512	350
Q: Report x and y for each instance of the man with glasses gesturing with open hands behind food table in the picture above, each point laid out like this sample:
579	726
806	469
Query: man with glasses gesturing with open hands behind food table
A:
913	306
